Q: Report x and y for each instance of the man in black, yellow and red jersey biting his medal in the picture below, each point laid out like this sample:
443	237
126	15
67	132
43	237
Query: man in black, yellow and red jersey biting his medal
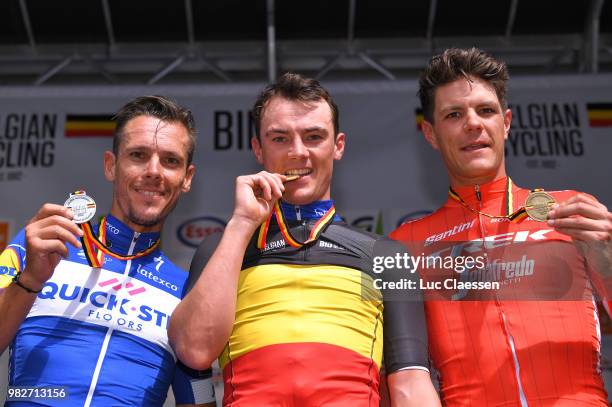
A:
285	298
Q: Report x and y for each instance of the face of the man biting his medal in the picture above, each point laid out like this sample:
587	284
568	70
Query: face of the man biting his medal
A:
298	138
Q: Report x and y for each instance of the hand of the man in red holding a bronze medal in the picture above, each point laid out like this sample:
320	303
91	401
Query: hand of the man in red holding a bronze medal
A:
583	218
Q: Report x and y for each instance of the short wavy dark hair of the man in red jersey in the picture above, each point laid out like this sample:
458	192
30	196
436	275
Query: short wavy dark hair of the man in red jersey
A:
456	63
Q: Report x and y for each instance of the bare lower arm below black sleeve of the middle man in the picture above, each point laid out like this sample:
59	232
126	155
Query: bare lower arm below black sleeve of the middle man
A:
412	387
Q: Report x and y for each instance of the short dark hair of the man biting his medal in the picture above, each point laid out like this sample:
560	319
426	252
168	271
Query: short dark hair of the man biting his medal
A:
293	86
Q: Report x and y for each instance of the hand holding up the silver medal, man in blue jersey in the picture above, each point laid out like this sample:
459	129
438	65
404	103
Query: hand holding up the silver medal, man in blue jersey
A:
47	234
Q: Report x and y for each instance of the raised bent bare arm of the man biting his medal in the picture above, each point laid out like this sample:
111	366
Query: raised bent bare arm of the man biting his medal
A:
202	323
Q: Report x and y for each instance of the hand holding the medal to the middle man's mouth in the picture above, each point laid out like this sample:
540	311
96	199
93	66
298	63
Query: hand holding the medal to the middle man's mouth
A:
256	195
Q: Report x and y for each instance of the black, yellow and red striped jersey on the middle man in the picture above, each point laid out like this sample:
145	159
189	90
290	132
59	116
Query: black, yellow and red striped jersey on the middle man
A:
309	327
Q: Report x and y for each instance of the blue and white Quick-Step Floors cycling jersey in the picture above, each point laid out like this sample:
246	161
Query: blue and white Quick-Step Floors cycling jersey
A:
101	333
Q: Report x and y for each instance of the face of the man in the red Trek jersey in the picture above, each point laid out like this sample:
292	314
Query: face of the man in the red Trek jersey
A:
469	130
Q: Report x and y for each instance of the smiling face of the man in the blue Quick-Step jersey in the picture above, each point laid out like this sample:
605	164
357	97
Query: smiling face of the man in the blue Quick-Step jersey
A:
149	172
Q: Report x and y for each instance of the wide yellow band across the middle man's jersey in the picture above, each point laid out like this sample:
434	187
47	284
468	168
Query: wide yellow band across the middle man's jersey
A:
282	303
